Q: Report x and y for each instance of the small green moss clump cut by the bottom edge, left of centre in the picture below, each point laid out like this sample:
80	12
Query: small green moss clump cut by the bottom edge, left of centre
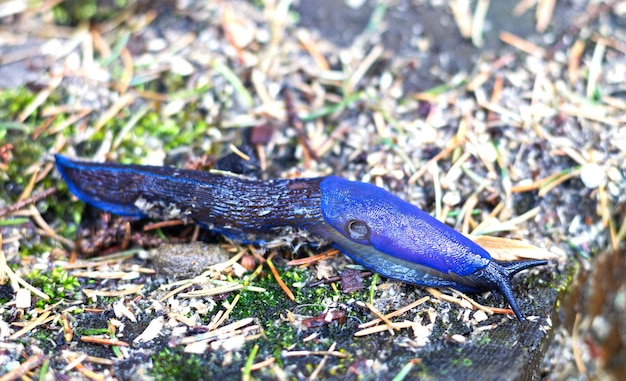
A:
175	365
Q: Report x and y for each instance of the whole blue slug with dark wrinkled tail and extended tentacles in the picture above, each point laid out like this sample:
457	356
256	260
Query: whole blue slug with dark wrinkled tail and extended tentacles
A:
373	227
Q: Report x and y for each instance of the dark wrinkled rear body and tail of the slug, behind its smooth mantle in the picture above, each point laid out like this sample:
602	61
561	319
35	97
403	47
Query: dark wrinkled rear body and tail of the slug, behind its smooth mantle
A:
239	207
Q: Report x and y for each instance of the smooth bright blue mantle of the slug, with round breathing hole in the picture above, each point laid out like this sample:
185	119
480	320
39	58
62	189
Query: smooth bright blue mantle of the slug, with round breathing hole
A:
374	218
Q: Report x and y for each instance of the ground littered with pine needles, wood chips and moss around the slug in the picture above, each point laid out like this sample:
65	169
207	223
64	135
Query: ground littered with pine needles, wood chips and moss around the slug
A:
502	118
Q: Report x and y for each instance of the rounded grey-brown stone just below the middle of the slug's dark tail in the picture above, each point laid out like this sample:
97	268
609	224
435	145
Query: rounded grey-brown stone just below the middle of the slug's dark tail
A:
182	261
